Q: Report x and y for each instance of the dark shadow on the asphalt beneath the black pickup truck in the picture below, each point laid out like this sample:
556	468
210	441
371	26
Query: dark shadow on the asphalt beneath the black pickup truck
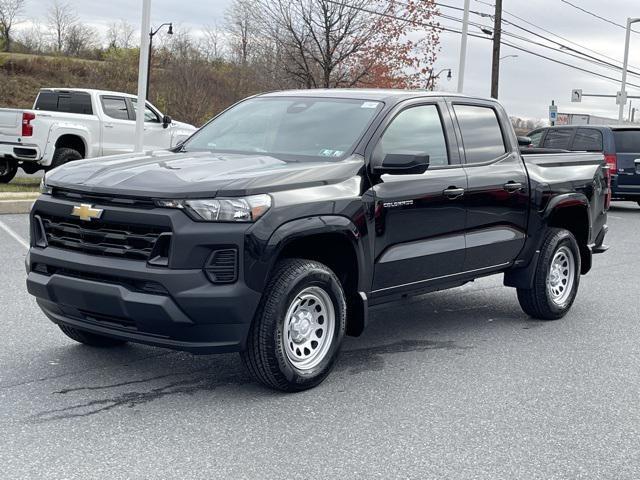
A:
418	321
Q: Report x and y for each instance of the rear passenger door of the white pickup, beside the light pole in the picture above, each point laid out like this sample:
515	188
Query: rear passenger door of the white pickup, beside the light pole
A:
118	130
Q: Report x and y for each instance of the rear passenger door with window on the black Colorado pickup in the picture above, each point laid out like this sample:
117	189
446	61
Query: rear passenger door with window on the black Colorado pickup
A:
497	197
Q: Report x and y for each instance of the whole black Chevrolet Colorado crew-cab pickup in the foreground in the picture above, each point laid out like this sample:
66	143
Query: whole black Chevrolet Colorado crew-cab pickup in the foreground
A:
275	226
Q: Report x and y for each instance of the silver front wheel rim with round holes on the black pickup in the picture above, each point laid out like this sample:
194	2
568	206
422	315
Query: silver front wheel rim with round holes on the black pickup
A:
309	327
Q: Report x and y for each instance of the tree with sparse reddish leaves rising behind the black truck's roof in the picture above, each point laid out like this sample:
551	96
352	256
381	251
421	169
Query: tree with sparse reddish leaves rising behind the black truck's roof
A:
329	43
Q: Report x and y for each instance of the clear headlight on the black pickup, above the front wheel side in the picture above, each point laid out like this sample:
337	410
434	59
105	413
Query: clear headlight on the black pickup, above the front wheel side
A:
240	209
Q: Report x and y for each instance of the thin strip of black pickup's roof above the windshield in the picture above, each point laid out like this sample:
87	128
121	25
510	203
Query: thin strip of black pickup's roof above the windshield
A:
377	94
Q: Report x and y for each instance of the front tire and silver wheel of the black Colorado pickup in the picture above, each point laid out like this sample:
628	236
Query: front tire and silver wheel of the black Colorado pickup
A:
299	326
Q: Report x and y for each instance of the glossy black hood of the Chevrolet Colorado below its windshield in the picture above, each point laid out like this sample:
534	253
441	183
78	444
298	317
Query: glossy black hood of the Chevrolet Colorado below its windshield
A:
165	174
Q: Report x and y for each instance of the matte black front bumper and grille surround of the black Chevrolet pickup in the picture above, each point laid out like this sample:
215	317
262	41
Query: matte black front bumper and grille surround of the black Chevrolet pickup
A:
176	306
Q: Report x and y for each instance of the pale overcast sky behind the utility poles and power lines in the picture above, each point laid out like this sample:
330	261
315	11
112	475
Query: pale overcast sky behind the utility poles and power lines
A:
527	83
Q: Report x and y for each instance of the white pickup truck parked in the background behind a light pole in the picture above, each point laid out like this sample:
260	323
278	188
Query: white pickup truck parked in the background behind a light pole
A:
70	124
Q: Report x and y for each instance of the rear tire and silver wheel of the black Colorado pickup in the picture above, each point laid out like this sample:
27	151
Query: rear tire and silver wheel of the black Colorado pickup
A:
556	278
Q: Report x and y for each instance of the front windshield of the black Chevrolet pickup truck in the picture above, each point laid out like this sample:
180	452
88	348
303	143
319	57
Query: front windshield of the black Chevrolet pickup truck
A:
288	128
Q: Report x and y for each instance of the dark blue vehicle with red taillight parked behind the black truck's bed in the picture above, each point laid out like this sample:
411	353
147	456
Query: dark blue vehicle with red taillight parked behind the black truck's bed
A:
620	145
